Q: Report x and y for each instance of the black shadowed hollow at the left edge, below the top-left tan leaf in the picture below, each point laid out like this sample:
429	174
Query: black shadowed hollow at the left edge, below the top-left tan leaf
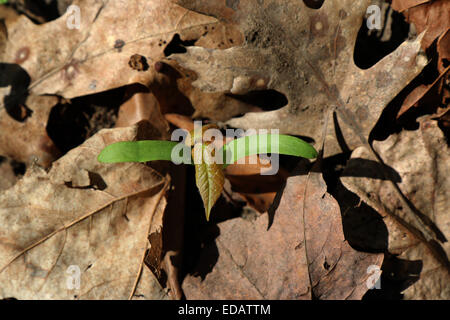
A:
15	76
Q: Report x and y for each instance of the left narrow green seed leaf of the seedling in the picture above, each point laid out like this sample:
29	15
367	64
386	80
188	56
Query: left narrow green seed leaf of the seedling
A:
137	151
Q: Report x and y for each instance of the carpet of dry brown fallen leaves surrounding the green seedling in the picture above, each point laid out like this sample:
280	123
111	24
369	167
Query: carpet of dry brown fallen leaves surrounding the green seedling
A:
199	59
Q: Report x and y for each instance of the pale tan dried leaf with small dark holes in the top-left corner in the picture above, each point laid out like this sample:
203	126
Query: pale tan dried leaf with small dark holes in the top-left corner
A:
76	62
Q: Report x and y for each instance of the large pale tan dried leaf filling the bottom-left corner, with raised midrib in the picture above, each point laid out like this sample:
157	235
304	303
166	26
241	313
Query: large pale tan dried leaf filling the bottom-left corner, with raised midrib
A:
81	216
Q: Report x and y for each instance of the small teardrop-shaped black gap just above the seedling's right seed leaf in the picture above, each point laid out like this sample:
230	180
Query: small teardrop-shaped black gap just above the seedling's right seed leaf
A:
267	100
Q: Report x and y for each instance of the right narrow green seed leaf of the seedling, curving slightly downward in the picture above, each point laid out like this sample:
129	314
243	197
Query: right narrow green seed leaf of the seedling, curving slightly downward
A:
274	143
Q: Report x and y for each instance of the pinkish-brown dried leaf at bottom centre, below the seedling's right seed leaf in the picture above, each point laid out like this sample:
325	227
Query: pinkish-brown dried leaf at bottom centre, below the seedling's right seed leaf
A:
304	248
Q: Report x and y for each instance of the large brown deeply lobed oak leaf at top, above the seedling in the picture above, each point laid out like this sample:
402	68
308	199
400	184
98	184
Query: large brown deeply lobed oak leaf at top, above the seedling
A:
307	55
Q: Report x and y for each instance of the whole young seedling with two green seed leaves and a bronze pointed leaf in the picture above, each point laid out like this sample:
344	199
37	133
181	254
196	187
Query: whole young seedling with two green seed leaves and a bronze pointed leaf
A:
209	173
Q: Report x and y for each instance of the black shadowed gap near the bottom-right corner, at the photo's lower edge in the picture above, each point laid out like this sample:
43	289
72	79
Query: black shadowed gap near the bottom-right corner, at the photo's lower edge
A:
397	275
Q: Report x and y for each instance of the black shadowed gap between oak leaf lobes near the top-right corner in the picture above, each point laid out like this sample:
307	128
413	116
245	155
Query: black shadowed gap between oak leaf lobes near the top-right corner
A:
369	47
